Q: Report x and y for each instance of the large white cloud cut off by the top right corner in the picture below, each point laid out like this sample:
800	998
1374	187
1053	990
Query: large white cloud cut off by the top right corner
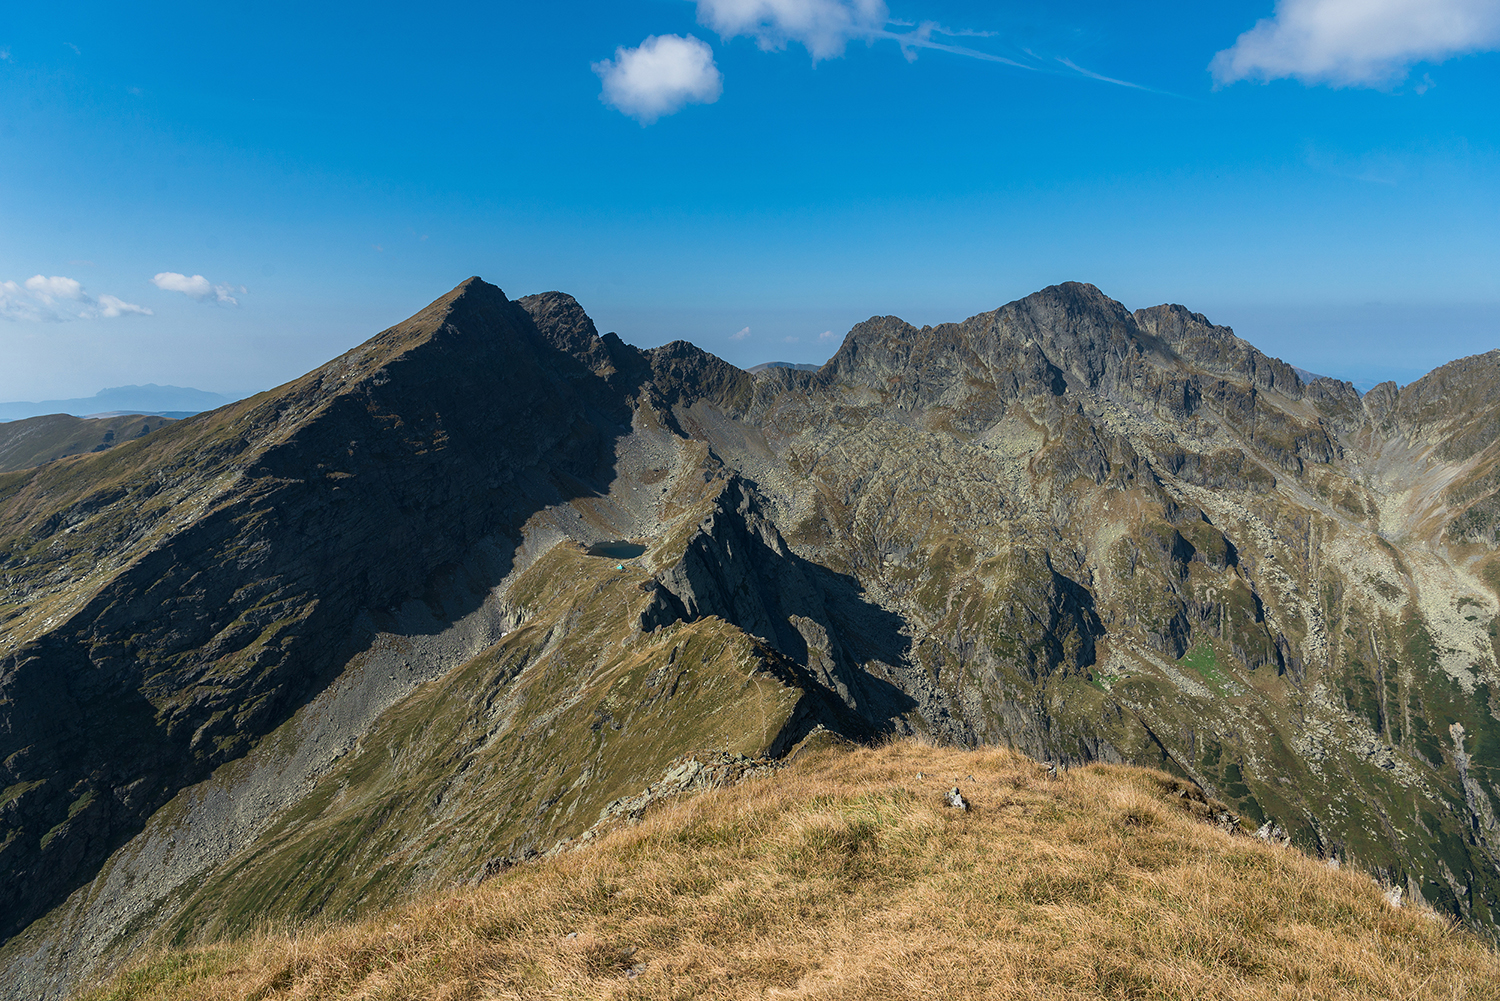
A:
1358	43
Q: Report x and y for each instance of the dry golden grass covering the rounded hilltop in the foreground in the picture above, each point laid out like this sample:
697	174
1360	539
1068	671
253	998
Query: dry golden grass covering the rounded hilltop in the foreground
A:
847	877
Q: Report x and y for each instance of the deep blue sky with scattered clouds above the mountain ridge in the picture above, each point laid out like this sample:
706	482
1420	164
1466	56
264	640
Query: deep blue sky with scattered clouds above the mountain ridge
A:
227	196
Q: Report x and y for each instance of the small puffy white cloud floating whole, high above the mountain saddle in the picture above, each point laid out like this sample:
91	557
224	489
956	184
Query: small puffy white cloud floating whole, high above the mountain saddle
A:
662	76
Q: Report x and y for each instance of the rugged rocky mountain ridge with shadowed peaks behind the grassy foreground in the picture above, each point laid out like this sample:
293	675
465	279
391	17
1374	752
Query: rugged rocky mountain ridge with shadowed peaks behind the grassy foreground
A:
463	592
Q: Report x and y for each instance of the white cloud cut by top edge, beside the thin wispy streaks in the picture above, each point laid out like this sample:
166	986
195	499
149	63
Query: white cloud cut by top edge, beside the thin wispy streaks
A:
823	26
